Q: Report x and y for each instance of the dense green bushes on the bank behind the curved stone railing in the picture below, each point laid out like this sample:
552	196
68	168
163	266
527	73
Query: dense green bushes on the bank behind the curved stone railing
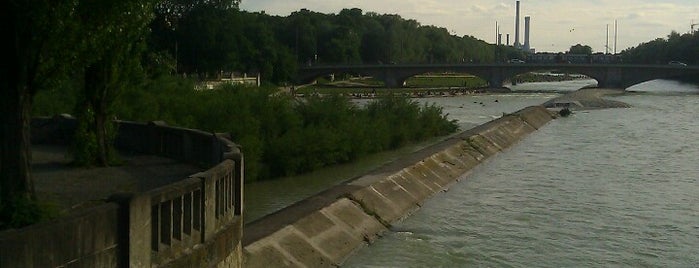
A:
281	136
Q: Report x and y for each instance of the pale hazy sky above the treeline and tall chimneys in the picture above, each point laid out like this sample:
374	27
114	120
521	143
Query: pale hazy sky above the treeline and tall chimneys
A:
556	25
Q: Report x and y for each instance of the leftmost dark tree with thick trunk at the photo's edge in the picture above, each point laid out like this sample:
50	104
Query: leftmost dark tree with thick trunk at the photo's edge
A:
40	35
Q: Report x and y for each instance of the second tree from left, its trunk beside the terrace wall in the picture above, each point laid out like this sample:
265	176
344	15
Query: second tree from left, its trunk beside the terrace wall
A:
116	33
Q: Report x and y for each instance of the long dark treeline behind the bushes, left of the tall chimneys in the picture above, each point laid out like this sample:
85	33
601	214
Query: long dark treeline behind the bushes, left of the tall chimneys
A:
207	40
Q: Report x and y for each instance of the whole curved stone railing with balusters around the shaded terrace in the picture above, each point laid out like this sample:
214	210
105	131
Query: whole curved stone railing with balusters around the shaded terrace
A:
195	222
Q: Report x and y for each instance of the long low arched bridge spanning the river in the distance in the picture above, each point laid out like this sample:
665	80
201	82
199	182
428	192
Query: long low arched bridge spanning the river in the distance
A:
607	75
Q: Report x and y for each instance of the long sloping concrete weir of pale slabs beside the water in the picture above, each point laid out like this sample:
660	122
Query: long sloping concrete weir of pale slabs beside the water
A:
323	230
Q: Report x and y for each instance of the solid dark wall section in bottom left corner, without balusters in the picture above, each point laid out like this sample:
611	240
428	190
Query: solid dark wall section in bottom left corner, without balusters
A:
88	238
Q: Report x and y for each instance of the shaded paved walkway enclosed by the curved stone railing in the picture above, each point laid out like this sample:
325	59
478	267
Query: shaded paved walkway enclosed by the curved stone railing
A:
72	187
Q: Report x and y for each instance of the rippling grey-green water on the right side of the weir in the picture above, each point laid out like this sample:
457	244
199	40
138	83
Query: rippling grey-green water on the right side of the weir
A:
603	188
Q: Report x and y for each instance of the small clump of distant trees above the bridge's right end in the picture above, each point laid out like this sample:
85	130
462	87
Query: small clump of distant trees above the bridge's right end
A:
676	47
